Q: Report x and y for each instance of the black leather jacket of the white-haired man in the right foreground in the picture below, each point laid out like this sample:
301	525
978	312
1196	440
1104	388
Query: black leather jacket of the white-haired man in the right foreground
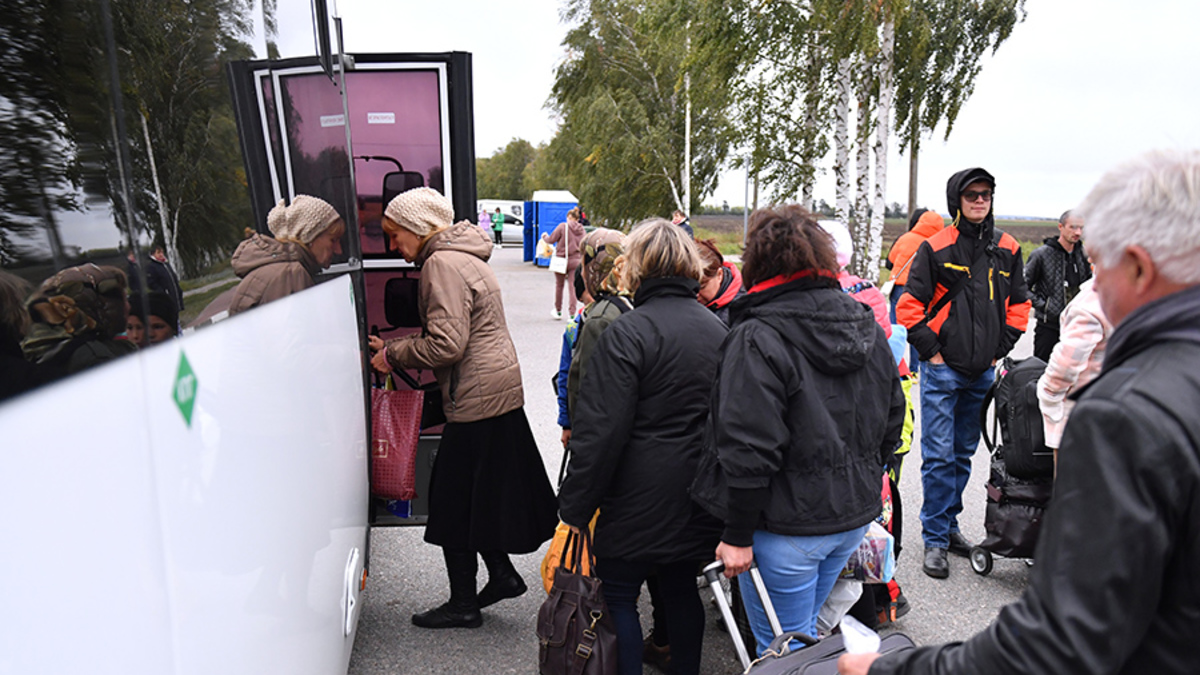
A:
1115	589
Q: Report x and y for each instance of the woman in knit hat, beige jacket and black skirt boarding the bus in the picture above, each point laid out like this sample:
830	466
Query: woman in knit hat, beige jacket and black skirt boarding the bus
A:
489	493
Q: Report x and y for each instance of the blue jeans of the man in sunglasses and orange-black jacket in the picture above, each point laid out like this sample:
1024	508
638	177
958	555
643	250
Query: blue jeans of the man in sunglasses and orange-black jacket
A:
950	437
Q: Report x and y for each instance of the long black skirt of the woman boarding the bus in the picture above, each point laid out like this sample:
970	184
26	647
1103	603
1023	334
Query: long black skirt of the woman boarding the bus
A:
489	489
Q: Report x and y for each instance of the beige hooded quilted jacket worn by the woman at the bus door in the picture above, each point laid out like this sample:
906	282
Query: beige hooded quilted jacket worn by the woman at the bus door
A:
465	341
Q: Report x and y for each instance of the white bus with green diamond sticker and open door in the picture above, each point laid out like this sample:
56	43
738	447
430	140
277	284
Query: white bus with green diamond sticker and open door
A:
205	505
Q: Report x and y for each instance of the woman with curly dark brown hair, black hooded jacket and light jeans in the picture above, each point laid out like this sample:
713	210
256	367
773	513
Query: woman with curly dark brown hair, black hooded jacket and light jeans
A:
806	414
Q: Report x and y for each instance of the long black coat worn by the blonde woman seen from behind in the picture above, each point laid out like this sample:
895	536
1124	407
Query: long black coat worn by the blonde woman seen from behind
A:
638	429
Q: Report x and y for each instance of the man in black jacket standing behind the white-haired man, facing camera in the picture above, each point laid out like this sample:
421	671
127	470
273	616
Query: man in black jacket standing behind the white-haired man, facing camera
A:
1054	274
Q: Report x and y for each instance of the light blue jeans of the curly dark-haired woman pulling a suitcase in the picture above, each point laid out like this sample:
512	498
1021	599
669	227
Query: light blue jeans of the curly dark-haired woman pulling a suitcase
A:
800	574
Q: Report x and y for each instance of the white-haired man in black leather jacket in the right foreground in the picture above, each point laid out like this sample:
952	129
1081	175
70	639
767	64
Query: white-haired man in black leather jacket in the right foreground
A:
1115	587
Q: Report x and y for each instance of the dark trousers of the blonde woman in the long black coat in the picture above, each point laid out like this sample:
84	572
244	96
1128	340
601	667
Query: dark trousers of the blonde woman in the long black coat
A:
681	601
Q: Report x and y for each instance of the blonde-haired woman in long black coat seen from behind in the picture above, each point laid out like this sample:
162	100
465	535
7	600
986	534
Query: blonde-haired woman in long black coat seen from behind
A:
637	440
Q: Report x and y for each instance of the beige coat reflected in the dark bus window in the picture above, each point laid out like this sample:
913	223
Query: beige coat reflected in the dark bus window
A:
269	271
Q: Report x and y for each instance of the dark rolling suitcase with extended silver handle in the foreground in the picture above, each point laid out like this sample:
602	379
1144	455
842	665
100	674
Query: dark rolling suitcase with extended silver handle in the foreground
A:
819	658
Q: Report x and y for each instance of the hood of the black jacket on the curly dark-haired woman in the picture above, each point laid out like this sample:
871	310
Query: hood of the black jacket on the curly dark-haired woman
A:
836	332
